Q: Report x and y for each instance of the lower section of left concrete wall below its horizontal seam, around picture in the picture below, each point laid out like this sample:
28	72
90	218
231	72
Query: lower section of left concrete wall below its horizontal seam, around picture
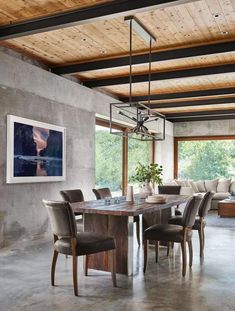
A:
21	212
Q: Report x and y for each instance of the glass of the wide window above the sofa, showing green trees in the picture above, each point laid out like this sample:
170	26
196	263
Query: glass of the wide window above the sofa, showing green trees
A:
206	159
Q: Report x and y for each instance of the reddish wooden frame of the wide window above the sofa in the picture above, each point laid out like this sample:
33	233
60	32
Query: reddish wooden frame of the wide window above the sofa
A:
194	138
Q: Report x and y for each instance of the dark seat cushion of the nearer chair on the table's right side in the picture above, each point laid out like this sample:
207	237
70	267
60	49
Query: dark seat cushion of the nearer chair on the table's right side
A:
168	233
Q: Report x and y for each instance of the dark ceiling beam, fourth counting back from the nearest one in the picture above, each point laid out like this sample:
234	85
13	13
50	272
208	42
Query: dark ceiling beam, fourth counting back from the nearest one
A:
200	93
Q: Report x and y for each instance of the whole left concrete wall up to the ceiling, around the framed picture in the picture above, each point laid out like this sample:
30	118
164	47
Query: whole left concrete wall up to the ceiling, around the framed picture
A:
31	92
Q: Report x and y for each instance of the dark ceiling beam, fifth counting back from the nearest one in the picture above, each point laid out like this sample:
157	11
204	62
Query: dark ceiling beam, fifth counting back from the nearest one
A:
211	101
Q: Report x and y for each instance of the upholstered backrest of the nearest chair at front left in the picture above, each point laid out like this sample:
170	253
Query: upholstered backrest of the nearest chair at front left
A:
62	219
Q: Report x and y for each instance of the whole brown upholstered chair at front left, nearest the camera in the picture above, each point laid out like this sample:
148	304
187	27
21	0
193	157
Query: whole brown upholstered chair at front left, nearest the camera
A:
67	241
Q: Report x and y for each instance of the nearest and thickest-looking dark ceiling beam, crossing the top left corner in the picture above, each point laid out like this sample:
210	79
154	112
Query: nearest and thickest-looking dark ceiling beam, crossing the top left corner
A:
91	14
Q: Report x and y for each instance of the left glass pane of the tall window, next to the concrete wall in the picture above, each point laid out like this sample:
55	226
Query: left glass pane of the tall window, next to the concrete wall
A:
108	160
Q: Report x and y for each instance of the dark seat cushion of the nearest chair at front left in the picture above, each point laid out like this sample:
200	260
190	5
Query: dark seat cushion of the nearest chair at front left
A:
87	243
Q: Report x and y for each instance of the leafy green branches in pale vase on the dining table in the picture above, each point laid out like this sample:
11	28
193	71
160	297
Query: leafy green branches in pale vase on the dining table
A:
147	176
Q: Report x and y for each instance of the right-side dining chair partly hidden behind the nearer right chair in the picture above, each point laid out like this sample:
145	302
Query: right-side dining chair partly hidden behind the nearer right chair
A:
200	221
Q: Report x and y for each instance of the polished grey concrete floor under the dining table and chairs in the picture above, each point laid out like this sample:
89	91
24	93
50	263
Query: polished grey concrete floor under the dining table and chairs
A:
210	285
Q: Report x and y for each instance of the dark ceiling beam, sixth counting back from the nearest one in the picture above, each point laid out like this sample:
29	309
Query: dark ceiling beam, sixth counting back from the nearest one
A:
194	114
